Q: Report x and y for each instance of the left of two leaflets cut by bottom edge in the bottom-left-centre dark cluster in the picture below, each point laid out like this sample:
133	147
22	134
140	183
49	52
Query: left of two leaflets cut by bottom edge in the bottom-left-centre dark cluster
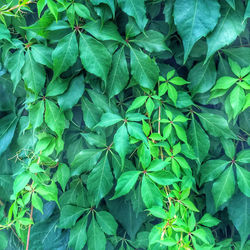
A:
78	234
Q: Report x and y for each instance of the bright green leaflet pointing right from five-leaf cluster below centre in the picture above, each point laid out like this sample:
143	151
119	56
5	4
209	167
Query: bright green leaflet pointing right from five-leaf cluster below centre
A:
163	177
